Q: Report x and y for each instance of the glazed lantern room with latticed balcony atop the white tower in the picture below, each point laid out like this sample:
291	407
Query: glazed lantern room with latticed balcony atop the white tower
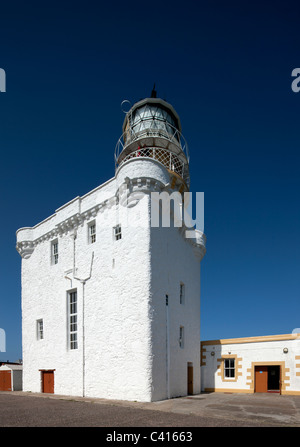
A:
152	129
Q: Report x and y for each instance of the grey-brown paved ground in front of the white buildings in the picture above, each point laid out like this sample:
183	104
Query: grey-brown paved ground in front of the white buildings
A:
23	409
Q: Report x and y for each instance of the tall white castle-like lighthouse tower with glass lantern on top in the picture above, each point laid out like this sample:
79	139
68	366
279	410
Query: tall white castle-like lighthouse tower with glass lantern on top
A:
111	302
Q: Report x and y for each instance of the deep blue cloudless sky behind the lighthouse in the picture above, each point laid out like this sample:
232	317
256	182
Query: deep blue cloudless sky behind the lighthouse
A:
226	68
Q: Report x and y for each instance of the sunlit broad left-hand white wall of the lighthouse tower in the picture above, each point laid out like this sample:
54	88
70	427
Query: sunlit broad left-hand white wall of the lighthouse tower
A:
113	359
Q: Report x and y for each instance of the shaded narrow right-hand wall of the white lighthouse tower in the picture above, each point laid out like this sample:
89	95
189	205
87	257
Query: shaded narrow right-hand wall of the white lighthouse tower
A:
173	262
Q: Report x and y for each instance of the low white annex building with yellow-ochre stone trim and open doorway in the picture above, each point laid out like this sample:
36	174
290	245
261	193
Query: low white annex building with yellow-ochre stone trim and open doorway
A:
253	359
